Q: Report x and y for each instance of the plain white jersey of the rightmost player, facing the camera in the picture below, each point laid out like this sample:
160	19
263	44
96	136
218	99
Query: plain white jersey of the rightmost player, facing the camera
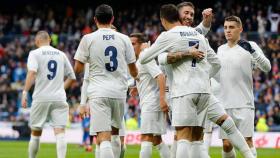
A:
235	76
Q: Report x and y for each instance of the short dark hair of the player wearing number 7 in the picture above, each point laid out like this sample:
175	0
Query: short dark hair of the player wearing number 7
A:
169	12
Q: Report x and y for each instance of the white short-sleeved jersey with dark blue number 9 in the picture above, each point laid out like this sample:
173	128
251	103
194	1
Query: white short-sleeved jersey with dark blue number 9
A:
51	66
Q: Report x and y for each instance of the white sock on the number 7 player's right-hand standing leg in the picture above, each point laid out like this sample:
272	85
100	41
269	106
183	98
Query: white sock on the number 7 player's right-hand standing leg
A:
198	150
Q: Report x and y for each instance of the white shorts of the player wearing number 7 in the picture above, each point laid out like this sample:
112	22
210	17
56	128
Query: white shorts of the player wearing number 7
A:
190	110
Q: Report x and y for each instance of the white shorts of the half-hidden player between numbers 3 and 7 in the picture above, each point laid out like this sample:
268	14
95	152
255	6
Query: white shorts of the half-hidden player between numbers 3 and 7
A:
153	123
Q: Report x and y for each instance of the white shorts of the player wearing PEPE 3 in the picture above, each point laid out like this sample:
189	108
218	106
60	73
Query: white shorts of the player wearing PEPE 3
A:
105	113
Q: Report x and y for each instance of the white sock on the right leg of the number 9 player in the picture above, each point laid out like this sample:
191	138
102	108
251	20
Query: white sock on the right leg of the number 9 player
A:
61	145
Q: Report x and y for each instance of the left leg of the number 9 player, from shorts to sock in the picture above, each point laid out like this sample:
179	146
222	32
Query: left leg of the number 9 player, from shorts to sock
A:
38	116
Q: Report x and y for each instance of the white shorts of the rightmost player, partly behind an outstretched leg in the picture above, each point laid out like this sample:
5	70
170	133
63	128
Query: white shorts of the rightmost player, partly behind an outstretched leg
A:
243	119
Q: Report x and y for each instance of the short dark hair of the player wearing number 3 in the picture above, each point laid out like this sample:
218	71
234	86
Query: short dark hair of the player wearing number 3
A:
104	14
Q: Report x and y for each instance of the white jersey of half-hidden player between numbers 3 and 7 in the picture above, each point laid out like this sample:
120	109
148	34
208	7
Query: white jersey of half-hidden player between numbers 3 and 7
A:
147	86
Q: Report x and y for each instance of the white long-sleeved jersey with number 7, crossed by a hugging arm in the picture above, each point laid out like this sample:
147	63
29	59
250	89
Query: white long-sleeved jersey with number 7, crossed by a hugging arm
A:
189	76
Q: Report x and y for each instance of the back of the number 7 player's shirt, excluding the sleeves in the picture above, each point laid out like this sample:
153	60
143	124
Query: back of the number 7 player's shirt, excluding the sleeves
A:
189	75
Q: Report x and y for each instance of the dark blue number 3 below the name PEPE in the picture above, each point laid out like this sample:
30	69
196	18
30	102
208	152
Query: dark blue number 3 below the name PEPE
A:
112	52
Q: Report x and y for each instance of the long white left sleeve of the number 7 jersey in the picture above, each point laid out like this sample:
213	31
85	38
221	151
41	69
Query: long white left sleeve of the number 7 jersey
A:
161	44
